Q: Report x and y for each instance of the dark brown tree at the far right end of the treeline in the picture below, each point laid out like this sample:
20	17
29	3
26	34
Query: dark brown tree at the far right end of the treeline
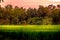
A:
56	16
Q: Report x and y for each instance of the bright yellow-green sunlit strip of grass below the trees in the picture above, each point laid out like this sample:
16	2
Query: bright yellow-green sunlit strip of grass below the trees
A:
31	28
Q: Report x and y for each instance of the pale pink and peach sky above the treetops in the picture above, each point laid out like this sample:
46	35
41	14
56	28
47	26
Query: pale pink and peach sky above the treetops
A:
29	3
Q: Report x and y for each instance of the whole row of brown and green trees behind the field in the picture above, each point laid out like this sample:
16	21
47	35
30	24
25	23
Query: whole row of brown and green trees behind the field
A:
49	15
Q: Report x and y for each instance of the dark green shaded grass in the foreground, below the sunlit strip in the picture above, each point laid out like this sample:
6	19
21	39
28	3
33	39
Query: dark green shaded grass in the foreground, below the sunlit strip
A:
29	35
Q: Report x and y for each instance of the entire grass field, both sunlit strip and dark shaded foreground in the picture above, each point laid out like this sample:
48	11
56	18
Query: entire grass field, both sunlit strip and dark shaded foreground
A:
29	32
